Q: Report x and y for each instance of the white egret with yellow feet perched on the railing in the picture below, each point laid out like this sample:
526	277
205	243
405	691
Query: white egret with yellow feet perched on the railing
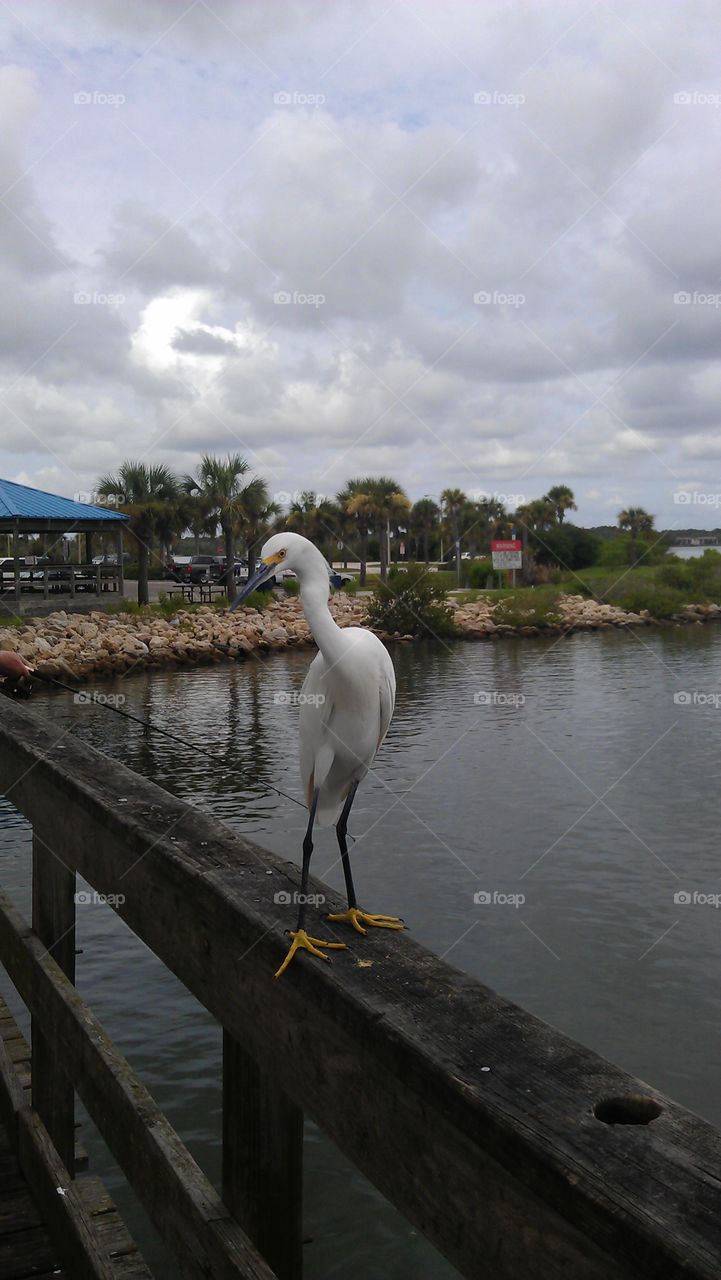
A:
346	708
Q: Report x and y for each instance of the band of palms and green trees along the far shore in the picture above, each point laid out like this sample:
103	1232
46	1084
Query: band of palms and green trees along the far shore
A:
371	519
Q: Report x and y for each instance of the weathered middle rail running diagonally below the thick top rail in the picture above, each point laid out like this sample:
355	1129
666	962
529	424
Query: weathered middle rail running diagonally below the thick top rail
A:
188	1212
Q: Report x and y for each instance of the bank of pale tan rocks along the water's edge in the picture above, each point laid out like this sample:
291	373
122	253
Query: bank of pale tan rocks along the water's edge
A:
74	647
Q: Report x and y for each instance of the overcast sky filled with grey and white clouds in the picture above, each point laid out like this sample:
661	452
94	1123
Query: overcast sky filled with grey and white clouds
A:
466	244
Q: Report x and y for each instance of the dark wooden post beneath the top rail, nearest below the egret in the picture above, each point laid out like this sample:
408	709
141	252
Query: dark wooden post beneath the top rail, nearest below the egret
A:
263	1137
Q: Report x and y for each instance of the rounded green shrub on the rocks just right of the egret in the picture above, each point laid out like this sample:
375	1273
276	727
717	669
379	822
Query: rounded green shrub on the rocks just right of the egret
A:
412	602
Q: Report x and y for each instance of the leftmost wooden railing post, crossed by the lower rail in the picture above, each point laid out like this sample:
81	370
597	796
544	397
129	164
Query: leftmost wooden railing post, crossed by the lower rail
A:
54	922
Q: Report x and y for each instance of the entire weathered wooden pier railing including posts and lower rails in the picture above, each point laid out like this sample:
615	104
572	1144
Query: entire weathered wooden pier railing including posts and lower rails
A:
476	1119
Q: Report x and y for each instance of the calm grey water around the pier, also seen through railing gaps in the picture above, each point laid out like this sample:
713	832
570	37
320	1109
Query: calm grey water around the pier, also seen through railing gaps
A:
578	783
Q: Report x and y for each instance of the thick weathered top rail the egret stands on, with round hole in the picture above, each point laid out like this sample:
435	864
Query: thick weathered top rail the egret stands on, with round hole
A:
506	1171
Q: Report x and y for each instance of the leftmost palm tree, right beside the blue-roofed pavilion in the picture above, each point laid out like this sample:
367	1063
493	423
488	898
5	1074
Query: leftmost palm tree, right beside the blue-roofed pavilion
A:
150	497
